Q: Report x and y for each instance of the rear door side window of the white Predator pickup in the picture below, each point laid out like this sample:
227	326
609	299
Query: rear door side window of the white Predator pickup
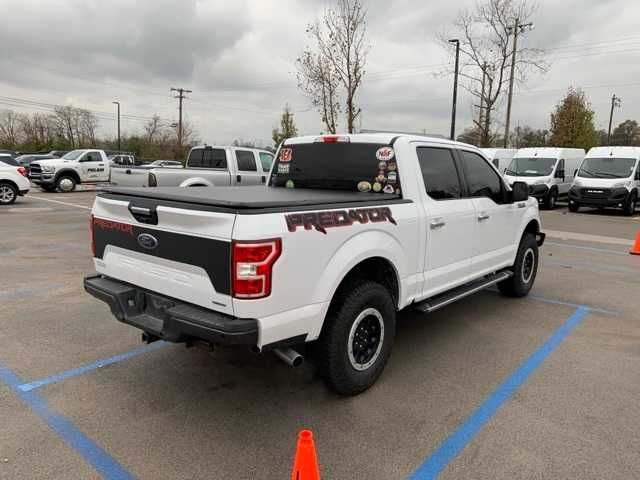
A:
439	172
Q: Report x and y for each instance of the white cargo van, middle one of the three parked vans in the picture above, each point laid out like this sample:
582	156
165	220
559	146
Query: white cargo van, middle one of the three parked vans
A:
548	171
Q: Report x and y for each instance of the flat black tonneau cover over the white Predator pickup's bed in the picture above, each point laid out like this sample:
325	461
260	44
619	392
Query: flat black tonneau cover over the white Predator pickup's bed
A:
252	197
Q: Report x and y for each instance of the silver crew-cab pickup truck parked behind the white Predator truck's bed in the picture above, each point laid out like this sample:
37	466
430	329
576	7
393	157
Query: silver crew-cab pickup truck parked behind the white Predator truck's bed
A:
206	166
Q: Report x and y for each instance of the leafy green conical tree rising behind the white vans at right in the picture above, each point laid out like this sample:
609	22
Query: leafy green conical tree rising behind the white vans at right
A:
572	122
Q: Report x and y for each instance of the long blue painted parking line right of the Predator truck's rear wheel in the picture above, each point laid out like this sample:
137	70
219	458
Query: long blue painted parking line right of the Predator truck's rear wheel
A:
458	440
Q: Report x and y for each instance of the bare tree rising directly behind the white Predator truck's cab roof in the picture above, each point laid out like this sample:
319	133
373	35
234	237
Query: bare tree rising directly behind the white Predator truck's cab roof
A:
339	57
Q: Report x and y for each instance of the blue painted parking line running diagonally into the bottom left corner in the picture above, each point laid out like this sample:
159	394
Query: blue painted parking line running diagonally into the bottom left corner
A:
99	459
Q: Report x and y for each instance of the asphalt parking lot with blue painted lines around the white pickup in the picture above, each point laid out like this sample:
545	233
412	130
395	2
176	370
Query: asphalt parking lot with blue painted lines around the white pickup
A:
542	387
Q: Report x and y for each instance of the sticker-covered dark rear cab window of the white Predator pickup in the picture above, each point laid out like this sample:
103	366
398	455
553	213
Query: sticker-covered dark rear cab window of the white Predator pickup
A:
363	167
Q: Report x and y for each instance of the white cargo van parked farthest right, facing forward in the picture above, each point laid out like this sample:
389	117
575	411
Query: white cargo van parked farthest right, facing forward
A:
608	177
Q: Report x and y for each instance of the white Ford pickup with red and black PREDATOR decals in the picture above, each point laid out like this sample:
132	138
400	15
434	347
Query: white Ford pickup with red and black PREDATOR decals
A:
352	229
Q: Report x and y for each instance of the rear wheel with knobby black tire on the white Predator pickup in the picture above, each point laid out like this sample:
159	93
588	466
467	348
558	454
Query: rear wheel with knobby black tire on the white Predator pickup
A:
357	337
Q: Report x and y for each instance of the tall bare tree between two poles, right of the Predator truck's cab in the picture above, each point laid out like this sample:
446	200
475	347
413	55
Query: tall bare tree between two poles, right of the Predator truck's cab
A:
486	47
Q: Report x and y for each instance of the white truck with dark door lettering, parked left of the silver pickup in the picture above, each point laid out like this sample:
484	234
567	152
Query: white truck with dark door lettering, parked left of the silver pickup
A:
77	166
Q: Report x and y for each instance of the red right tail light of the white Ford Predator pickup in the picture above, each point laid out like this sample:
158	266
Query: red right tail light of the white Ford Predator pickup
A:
252	265
